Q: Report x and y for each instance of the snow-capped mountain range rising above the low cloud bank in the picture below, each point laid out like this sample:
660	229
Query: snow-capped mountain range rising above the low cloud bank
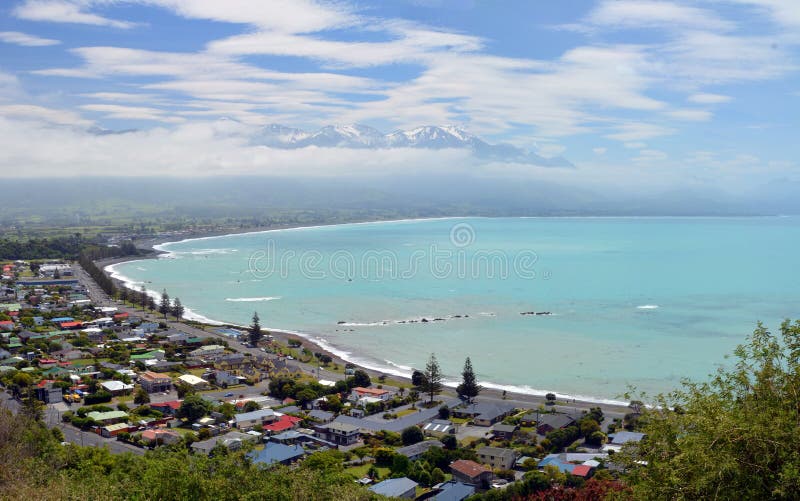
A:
430	137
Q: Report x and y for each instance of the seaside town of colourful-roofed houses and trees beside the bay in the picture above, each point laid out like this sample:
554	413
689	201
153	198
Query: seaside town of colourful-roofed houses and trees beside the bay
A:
127	373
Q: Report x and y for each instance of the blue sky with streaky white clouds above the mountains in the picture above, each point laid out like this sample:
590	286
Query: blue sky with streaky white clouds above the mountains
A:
632	92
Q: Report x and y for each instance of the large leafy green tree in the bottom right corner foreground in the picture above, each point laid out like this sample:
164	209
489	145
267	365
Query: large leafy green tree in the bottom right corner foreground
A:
734	436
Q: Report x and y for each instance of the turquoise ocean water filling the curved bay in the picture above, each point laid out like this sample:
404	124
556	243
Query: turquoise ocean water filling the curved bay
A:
639	302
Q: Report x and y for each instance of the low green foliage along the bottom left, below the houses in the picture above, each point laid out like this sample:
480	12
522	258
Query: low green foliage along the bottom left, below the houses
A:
33	465
